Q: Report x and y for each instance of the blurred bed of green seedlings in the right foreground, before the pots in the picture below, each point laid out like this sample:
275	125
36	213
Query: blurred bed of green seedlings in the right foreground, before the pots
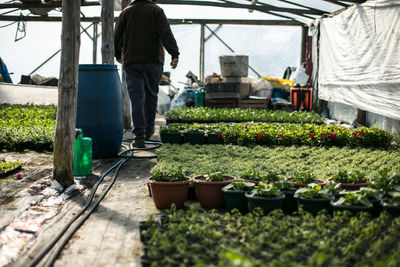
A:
198	238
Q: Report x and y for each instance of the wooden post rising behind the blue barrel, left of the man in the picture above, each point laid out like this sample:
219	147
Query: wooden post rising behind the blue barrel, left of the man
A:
107	31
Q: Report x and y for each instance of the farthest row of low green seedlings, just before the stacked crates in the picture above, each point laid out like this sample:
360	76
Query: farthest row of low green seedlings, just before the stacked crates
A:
204	114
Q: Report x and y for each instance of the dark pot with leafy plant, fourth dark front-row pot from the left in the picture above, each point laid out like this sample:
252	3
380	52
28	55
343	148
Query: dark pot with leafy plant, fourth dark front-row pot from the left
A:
352	201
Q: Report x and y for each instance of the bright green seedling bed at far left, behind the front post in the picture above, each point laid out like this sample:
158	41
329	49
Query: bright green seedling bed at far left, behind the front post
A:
27	127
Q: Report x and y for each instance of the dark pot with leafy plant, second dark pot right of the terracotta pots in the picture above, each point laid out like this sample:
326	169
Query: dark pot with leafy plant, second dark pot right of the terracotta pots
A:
265	196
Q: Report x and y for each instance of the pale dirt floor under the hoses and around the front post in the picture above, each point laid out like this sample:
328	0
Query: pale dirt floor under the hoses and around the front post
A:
32	214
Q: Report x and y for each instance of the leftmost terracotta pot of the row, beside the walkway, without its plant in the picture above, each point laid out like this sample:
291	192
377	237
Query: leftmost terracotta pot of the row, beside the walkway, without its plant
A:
165	194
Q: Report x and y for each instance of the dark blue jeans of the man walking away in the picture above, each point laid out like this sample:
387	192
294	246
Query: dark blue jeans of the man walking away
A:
142	81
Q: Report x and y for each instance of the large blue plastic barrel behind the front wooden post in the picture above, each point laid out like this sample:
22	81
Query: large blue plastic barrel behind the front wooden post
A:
99	112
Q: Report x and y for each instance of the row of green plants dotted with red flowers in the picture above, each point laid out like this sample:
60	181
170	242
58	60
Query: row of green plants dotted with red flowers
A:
250	134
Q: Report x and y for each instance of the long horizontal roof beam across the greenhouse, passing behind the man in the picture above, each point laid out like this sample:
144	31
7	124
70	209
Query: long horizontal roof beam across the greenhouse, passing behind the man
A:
171	21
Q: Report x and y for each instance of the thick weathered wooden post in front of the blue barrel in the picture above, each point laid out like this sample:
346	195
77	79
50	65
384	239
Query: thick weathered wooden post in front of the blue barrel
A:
67	94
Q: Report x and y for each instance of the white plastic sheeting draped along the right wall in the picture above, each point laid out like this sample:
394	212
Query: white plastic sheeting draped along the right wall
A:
360	57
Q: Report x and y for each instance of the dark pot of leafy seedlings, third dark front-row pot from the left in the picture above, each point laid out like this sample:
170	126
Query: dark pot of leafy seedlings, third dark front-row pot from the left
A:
313	198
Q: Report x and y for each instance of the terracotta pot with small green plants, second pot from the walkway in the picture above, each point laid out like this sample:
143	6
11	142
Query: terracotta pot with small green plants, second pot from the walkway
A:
208	189
